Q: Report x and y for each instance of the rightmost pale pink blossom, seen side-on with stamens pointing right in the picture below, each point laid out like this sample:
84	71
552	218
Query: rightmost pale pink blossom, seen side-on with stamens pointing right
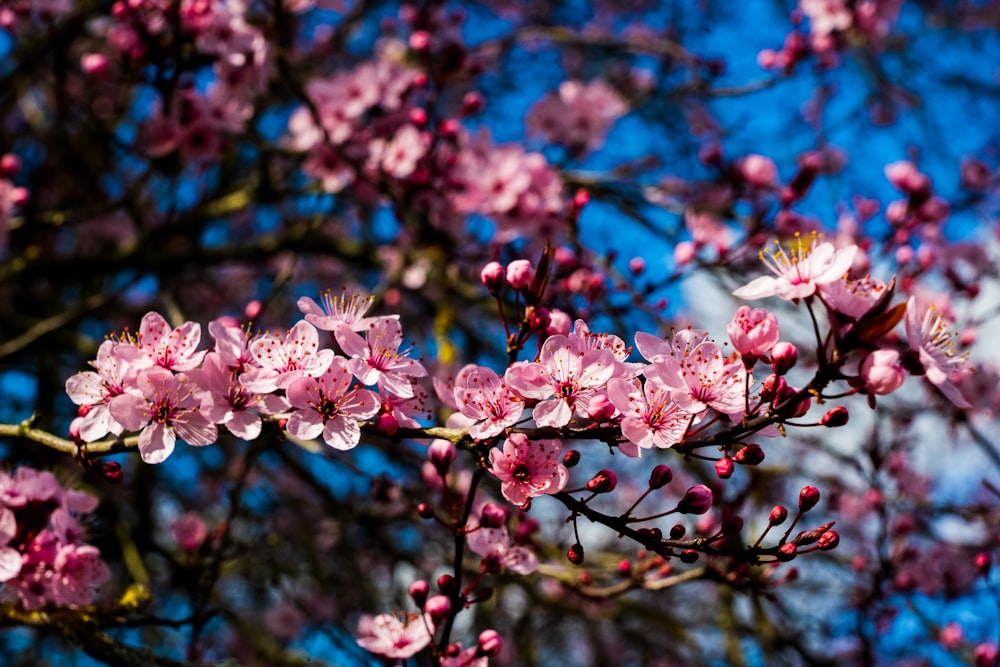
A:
934	343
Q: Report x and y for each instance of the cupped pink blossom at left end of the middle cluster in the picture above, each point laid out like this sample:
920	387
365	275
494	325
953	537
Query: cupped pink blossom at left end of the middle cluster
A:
482	396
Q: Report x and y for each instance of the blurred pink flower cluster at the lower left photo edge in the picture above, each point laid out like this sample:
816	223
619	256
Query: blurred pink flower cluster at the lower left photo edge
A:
43	558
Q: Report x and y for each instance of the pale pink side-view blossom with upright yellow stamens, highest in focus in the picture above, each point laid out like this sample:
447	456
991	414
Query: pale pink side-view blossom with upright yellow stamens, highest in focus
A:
799	272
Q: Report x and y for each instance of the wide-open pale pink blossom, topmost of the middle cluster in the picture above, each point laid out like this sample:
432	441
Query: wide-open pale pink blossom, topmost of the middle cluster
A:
566	374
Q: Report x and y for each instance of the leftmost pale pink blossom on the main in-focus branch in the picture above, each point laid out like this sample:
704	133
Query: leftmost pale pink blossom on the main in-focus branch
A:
117	366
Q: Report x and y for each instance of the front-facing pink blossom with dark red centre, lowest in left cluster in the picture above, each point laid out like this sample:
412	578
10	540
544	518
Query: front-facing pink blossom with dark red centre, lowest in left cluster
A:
165	407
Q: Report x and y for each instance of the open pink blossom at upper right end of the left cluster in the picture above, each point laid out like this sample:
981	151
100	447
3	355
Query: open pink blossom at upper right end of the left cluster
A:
376	359
